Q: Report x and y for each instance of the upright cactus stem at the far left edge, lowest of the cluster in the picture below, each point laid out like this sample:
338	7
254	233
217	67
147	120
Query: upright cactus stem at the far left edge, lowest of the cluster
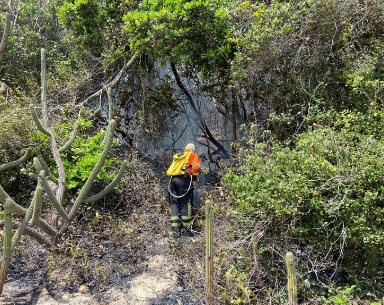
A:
7	248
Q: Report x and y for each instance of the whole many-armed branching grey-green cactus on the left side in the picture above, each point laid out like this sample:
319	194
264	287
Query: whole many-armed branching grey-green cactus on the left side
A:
32	213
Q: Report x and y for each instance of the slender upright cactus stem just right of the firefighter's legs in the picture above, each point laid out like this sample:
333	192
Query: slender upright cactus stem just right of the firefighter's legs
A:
209	253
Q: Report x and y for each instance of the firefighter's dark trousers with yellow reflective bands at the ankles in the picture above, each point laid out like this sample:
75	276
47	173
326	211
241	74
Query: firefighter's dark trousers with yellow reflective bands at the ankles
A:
181	215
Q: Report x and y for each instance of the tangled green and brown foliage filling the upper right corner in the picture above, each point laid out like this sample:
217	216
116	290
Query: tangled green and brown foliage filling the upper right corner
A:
294	56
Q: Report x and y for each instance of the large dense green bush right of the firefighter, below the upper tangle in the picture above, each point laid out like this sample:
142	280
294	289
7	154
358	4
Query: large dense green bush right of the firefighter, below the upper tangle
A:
325	189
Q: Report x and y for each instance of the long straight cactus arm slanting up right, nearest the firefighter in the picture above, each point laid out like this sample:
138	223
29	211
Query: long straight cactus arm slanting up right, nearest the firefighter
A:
87	186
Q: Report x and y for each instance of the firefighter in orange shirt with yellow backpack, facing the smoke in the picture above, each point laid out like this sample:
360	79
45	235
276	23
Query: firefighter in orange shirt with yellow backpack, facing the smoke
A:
181	189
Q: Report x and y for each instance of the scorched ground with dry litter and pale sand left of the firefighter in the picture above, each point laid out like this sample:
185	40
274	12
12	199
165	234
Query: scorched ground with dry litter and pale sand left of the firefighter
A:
129	259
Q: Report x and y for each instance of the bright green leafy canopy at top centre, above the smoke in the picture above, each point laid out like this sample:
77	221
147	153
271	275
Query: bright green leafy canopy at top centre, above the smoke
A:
190	32
